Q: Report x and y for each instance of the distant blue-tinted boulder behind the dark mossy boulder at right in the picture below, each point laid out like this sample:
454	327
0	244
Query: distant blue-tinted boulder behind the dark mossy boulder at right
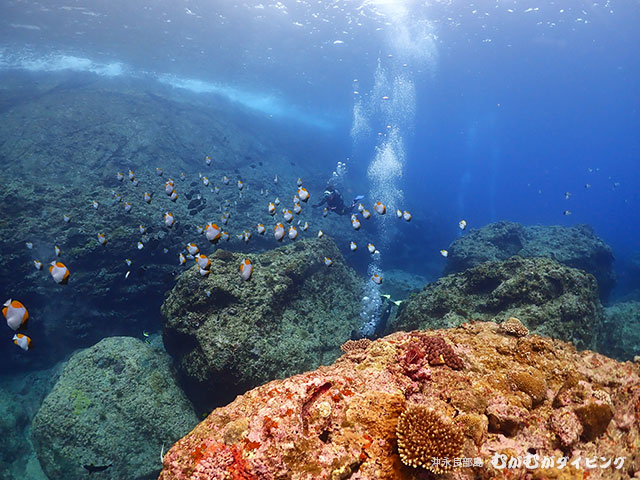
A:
576	246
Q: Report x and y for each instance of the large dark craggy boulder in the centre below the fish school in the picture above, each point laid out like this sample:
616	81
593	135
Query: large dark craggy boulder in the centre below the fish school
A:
228	335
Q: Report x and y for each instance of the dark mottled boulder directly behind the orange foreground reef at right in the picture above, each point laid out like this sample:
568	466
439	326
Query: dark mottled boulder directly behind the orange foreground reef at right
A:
549	298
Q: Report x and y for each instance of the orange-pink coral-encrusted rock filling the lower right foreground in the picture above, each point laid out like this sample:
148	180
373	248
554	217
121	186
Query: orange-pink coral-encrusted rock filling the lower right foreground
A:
496	402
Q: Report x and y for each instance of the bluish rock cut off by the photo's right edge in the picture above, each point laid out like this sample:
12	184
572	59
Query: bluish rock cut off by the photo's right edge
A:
621	332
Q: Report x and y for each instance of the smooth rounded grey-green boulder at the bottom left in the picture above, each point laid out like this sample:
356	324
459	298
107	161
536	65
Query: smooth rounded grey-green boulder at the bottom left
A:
115	403
